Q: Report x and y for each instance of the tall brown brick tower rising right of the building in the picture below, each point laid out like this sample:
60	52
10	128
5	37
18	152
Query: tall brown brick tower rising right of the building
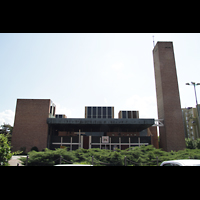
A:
168	100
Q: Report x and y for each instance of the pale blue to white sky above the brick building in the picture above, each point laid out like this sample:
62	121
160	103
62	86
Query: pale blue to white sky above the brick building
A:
75	70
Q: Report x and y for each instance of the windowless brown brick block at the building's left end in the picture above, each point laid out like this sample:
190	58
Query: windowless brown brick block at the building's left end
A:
30	125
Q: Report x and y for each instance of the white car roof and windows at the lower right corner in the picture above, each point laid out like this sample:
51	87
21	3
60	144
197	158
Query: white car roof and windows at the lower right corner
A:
186	162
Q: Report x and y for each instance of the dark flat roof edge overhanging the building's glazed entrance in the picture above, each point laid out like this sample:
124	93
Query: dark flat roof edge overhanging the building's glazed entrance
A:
133	124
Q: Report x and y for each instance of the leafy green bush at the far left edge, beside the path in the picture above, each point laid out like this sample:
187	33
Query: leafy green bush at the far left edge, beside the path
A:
5	151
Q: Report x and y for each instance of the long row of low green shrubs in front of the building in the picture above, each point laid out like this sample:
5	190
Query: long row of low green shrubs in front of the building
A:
137	156
